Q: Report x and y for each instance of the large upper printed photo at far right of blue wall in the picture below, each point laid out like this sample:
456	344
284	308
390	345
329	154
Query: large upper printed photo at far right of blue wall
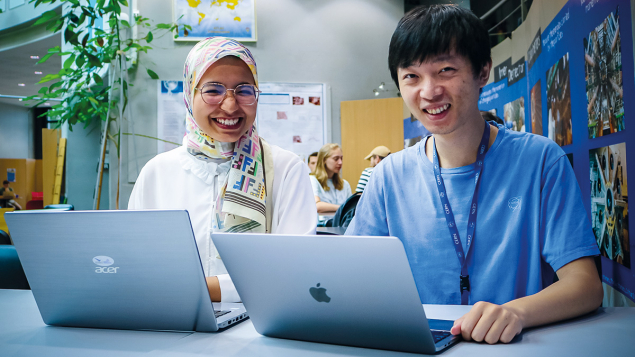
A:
603	70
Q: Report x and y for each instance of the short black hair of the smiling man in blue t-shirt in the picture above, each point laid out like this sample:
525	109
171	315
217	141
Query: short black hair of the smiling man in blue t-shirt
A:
428	31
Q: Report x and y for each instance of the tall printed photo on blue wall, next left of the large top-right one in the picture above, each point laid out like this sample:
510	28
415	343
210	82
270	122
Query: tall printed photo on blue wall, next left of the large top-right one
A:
559	102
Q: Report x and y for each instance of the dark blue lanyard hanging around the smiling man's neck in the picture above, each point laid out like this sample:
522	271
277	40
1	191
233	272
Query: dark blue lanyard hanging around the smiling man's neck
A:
449	216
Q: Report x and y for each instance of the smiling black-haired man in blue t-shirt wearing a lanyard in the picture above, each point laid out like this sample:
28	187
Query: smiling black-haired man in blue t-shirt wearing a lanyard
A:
486	215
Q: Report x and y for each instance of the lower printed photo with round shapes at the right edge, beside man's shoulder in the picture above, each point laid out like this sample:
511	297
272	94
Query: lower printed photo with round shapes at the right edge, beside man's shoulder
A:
609	202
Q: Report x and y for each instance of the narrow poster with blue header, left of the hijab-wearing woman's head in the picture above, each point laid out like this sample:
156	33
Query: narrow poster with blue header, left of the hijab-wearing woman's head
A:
170	115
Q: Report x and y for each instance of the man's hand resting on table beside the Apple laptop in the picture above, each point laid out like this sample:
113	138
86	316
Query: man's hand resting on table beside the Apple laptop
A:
488	322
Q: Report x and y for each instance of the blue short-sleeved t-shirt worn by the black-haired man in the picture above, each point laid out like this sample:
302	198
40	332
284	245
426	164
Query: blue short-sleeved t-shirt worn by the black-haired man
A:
530	220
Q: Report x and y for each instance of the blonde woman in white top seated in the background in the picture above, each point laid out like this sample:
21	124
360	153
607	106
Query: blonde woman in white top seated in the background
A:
329	188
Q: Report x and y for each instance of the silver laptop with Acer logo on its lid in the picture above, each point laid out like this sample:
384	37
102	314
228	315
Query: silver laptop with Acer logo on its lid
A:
137	270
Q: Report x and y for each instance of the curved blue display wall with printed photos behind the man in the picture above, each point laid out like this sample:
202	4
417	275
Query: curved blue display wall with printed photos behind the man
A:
578	70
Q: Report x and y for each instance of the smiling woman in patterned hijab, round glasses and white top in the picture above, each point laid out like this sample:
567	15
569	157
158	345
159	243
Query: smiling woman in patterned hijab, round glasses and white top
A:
226	176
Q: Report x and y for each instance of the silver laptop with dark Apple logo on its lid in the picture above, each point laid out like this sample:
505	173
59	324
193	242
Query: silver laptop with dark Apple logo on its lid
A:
356	291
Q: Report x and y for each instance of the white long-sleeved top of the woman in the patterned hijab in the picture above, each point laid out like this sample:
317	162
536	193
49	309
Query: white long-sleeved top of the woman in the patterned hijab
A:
177	180
